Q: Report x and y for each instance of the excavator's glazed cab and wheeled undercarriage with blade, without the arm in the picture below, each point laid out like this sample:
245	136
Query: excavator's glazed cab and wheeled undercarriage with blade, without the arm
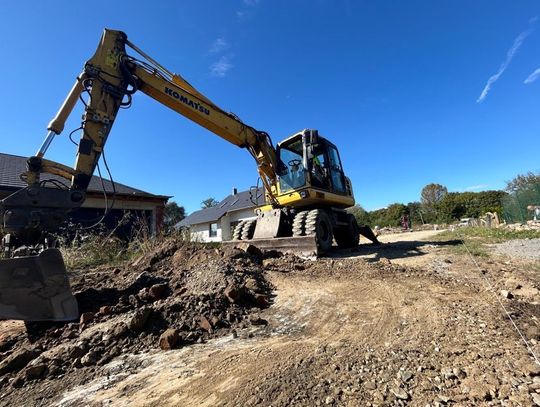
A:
312	194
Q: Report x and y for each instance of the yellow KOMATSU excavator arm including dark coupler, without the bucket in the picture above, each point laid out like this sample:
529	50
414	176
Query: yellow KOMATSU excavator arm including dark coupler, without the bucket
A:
108	80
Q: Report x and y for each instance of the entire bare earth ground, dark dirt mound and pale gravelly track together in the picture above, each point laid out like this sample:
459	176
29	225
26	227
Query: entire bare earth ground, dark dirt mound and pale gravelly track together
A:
411	322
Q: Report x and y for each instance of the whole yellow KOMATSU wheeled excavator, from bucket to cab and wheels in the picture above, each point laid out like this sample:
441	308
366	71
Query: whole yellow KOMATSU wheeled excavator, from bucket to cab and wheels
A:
305	187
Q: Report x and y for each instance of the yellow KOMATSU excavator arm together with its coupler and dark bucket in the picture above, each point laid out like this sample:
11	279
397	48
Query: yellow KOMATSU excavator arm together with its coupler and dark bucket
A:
33	281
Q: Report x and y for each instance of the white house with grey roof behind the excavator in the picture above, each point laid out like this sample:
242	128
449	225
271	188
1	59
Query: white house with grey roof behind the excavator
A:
217	223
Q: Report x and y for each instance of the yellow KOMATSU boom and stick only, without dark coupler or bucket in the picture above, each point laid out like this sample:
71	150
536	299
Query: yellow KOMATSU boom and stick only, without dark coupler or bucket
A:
110	77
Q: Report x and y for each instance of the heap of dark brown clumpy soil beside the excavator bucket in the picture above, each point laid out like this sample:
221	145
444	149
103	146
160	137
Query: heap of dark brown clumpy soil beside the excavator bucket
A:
177	295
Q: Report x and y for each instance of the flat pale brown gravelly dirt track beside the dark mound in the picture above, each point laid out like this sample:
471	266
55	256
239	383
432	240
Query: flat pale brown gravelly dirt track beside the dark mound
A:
408	323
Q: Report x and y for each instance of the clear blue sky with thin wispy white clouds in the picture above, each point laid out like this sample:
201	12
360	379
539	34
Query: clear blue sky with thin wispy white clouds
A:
411	92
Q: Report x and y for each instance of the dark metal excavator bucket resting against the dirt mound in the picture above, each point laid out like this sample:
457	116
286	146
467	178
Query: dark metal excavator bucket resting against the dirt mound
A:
36	288
